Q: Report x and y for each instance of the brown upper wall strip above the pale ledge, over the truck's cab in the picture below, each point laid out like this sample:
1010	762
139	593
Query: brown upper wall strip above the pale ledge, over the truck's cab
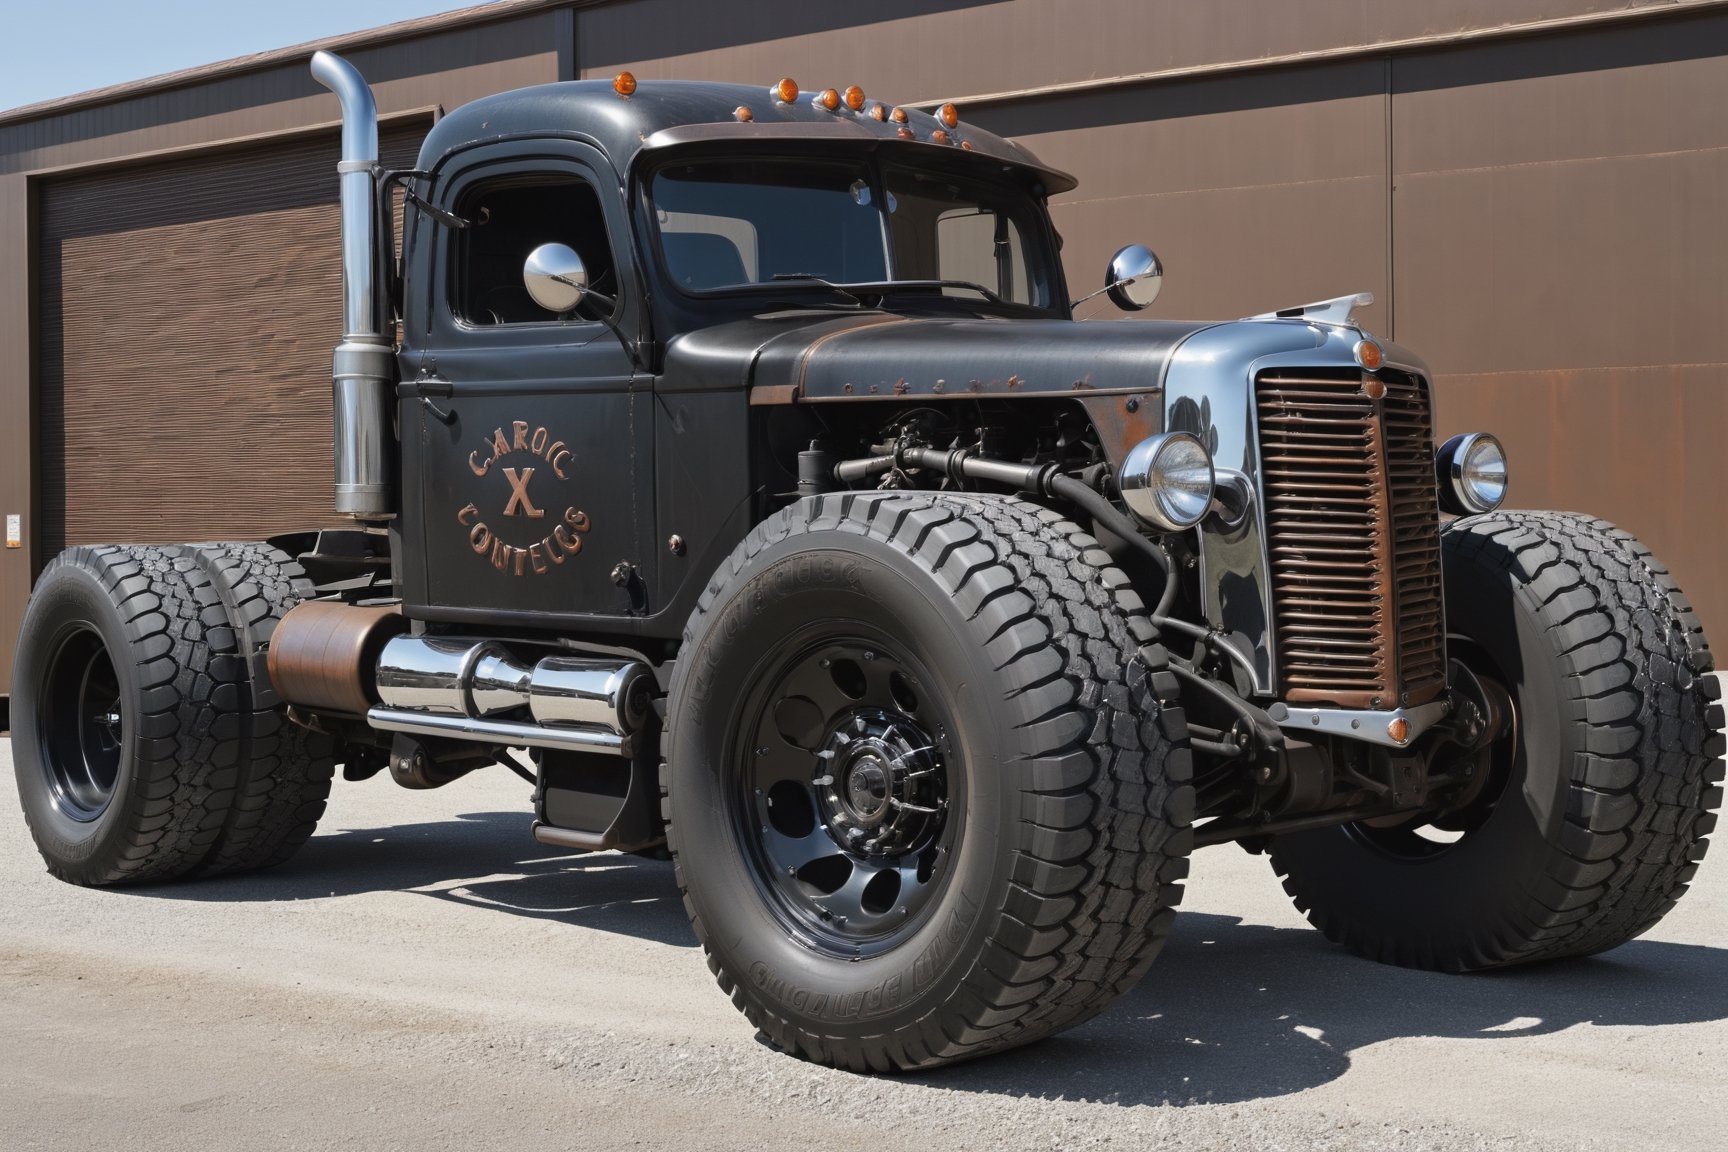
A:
927	49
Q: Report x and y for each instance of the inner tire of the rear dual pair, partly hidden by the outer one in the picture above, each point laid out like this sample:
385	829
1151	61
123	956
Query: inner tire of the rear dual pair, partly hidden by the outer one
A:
284	769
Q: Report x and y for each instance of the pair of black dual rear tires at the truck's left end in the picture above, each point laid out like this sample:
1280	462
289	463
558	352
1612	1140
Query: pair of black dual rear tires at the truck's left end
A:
146	740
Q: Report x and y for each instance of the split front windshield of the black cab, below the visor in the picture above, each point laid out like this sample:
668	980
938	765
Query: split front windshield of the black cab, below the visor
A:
727	225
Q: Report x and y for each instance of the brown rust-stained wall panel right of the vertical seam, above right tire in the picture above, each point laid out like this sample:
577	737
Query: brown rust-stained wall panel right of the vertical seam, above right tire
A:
1561	241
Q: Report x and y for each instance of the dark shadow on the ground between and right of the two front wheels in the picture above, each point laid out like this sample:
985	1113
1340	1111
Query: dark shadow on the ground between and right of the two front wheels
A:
1236	1013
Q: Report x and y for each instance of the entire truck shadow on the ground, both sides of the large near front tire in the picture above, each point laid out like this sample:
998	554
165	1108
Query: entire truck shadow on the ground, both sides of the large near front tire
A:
1231	1011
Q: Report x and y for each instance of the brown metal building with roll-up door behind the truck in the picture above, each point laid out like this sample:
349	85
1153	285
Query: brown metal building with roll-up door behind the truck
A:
1535	191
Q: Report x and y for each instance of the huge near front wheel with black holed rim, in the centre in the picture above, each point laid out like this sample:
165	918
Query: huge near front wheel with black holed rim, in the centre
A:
927	782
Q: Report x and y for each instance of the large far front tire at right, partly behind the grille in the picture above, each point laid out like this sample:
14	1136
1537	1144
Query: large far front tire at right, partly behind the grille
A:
1598	802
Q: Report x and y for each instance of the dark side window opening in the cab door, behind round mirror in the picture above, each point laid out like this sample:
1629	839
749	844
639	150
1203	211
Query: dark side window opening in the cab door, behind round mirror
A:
507	222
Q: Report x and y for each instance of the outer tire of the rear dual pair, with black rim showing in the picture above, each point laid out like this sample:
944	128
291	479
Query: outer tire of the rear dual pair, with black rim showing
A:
125	733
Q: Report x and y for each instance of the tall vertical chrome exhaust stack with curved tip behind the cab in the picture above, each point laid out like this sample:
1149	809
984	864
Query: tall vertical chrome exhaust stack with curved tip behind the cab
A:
365	364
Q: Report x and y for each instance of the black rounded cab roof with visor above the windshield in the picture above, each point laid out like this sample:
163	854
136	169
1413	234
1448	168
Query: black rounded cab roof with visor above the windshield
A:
675	113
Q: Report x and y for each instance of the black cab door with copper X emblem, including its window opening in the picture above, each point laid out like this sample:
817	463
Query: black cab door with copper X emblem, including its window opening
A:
528	434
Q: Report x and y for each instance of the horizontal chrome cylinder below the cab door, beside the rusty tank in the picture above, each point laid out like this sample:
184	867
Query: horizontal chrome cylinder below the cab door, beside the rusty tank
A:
476	680
